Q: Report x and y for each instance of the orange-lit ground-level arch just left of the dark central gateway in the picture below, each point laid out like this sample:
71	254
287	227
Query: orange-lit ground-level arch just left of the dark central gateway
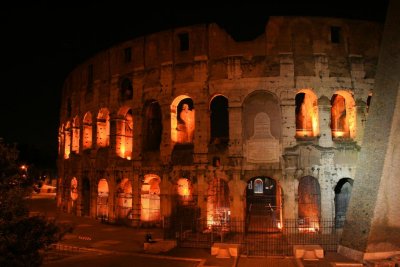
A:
218	205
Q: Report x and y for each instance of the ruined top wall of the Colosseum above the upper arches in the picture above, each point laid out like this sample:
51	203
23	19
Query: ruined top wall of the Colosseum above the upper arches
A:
303	37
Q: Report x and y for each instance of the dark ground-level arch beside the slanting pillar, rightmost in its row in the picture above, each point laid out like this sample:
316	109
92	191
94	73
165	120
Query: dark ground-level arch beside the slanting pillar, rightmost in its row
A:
342	197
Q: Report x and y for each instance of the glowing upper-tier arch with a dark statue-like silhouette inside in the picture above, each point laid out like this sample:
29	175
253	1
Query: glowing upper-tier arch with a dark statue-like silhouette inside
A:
182	120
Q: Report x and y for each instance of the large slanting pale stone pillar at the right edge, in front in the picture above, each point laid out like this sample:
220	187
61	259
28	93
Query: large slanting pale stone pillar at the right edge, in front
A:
372	226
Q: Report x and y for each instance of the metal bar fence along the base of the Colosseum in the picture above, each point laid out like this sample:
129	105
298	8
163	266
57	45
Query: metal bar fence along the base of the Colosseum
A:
261	238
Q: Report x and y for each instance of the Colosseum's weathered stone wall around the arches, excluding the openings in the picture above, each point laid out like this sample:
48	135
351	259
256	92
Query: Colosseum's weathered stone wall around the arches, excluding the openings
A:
259	79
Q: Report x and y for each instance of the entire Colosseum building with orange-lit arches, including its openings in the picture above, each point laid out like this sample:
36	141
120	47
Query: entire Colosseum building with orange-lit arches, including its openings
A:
189	125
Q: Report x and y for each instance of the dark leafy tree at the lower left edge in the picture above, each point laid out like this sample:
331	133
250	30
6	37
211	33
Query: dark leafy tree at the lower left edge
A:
23	238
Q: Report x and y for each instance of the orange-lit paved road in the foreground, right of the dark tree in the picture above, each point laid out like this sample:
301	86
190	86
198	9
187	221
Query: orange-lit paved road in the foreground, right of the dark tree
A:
114	246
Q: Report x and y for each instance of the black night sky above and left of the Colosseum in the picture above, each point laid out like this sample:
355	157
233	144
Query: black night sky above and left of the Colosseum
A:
43	41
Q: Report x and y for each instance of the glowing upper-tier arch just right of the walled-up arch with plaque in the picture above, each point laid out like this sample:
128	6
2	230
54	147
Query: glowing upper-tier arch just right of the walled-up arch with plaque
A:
306	114
